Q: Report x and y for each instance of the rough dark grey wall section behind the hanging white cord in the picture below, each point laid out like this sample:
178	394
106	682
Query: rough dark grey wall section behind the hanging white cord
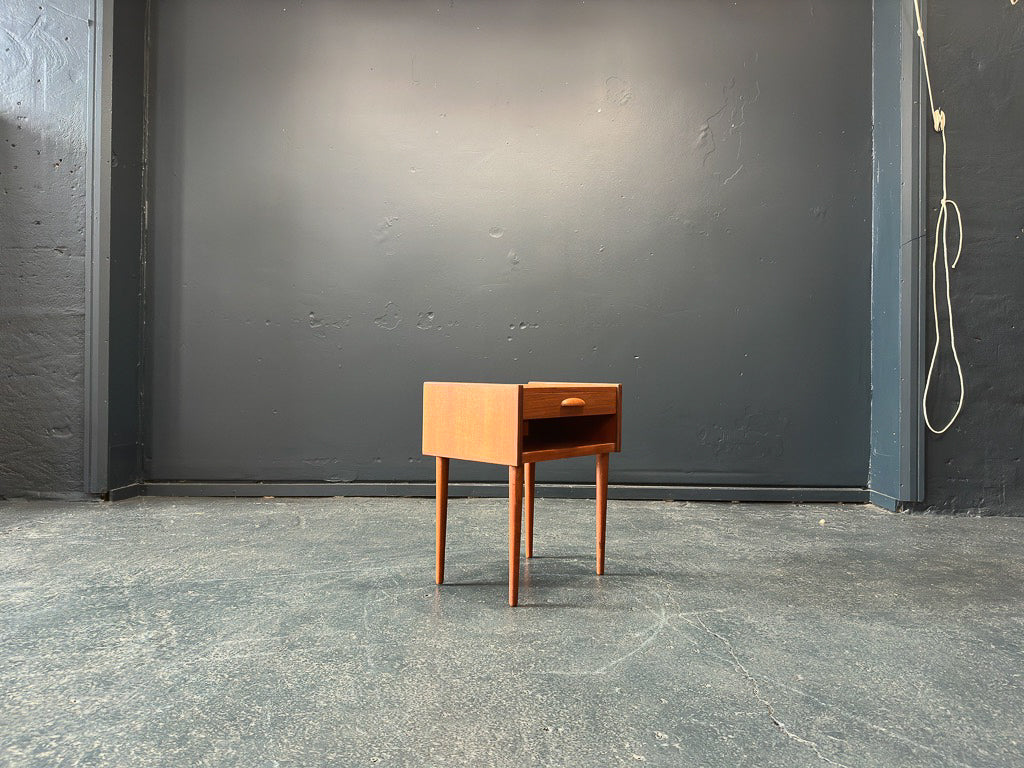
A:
978	70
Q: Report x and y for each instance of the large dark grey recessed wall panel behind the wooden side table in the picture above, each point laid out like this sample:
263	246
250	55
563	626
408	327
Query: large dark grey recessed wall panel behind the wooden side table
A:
352	198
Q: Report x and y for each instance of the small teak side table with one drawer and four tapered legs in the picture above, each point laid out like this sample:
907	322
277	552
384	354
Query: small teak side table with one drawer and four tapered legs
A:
519	425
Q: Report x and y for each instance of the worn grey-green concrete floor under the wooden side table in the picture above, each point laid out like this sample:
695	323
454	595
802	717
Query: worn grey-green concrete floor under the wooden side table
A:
309	632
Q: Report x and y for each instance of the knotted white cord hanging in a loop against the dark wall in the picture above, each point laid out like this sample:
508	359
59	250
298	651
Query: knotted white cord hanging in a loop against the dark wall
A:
942	236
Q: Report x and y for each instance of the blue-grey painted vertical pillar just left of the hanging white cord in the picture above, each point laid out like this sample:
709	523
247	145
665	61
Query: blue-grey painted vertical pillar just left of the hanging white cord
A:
895	471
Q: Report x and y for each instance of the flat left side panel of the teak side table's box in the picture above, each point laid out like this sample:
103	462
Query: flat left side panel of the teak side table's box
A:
476	422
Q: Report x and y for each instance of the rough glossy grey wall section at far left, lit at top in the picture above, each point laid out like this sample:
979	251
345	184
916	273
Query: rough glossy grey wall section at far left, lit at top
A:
45	65
